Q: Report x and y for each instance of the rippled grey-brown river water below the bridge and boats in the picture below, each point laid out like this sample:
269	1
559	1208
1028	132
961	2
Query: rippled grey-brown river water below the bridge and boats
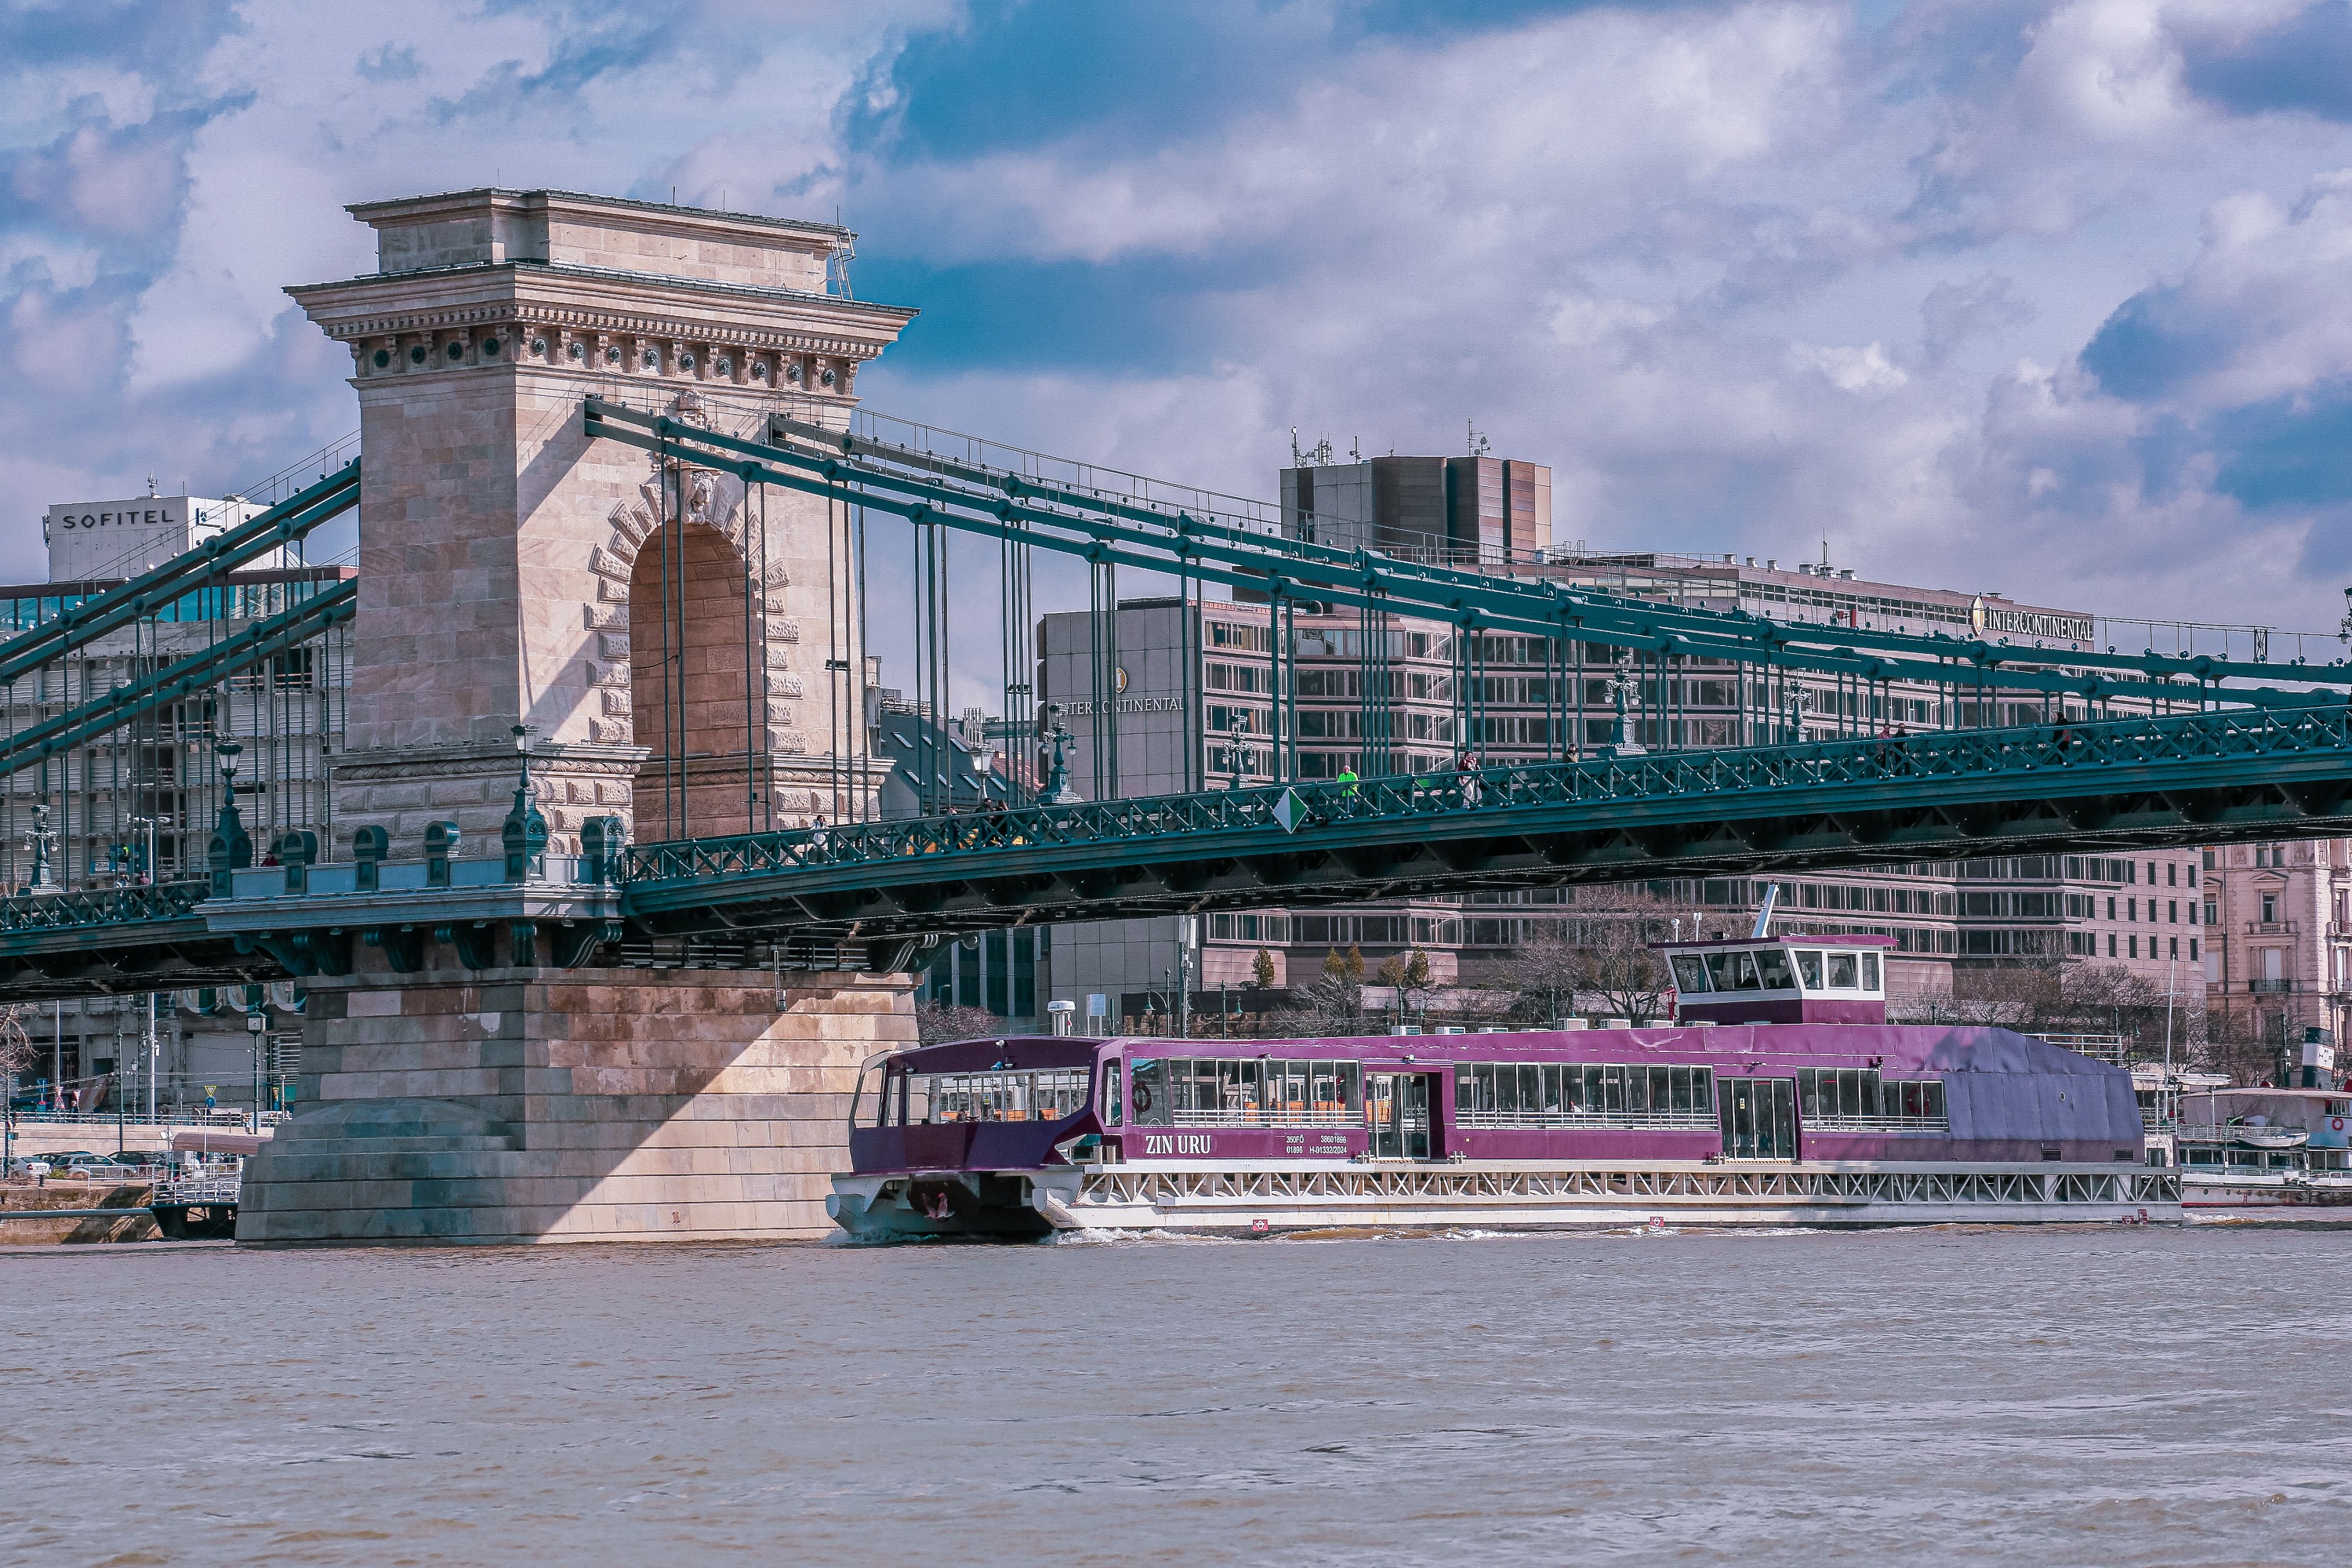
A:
1883	1398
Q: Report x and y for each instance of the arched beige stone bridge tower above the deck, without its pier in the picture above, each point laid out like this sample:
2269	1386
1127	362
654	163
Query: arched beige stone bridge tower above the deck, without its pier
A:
664	636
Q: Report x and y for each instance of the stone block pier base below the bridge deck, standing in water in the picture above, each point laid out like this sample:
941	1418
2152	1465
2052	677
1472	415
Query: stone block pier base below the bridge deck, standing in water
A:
570	1106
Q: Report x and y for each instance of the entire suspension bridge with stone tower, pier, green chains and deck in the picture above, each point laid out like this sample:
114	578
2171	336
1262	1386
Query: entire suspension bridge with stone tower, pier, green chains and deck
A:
615	518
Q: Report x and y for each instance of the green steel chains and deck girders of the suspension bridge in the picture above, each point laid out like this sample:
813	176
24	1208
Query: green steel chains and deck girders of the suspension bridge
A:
2254	760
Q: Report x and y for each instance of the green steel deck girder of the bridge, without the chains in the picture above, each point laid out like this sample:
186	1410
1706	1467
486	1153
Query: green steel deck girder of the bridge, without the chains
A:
2137	784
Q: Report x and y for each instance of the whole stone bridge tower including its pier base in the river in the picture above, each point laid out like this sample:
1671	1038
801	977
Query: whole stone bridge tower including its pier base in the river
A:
683	659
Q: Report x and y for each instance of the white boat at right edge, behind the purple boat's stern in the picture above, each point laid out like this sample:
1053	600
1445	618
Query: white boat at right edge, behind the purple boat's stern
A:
2266	1155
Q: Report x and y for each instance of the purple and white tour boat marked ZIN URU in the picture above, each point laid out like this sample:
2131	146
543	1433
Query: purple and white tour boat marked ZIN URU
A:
1819	1115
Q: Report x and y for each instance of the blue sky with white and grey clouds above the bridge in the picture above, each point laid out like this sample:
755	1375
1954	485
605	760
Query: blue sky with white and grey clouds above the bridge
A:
2050	297
